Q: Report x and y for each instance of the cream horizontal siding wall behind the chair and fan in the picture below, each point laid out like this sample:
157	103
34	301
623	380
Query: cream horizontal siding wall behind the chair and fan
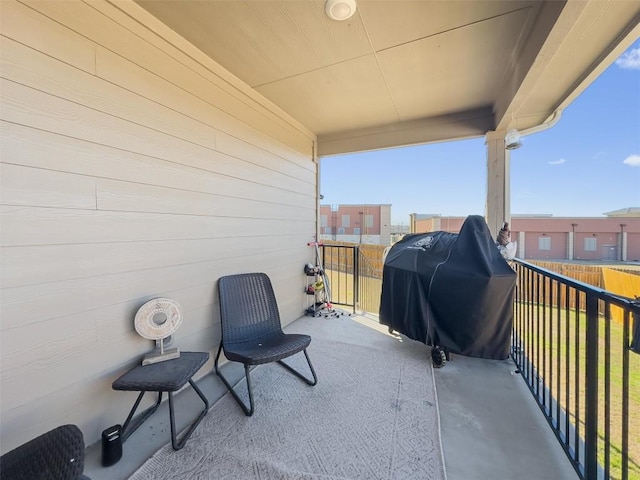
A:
132	167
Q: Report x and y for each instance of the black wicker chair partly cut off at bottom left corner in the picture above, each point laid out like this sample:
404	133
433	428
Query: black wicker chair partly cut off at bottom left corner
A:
54	455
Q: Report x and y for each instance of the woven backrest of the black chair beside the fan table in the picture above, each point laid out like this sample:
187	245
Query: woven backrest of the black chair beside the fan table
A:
248	307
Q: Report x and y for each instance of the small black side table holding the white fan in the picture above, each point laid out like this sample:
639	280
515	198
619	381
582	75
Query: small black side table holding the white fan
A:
168	376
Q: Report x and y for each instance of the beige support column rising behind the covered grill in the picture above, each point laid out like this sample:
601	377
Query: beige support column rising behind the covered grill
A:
498	203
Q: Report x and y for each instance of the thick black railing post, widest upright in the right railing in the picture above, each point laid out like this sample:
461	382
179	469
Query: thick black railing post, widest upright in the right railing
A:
591	385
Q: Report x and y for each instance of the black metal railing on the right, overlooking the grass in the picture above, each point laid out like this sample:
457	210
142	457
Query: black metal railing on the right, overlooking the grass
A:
573	345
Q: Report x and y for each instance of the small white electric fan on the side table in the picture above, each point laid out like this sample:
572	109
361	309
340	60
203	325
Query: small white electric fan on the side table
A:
157	320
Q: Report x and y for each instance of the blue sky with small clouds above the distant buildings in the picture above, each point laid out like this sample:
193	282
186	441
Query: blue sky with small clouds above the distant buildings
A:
585	165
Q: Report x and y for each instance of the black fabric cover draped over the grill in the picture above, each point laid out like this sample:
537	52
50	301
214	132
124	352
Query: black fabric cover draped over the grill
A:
450	290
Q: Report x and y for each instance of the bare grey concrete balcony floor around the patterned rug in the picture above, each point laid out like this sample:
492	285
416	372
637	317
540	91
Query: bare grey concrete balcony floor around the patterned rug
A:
491	427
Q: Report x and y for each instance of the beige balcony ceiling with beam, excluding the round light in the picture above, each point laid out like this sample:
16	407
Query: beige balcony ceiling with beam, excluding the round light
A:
409	72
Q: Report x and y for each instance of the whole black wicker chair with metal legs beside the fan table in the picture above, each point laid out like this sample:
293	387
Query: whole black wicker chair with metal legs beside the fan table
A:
251	329
